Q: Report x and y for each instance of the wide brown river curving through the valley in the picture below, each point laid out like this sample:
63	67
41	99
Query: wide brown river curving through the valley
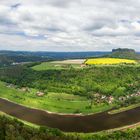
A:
71	123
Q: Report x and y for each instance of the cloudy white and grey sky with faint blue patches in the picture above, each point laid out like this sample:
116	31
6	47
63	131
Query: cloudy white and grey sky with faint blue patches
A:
69	25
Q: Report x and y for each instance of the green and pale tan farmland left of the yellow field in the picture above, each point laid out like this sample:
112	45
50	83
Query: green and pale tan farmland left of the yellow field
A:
59	65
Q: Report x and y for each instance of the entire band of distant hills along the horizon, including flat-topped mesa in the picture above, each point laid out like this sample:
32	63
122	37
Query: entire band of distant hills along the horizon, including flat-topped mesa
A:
12	57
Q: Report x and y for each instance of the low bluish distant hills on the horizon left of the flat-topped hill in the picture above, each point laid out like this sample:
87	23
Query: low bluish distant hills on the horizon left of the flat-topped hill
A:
11	57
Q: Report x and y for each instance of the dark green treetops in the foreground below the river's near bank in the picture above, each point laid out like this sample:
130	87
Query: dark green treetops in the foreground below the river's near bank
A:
12	129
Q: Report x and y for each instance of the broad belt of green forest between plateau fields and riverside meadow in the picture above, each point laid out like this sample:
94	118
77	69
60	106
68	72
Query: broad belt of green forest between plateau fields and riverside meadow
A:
107	80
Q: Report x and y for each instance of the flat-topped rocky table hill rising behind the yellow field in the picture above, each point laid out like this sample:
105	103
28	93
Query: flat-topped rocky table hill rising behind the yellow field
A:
124	53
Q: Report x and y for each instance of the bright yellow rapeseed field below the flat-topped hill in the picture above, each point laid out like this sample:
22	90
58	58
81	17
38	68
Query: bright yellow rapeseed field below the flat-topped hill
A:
108	61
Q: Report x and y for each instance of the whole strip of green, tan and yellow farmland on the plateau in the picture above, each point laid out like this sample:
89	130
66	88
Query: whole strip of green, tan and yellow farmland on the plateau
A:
80	63
